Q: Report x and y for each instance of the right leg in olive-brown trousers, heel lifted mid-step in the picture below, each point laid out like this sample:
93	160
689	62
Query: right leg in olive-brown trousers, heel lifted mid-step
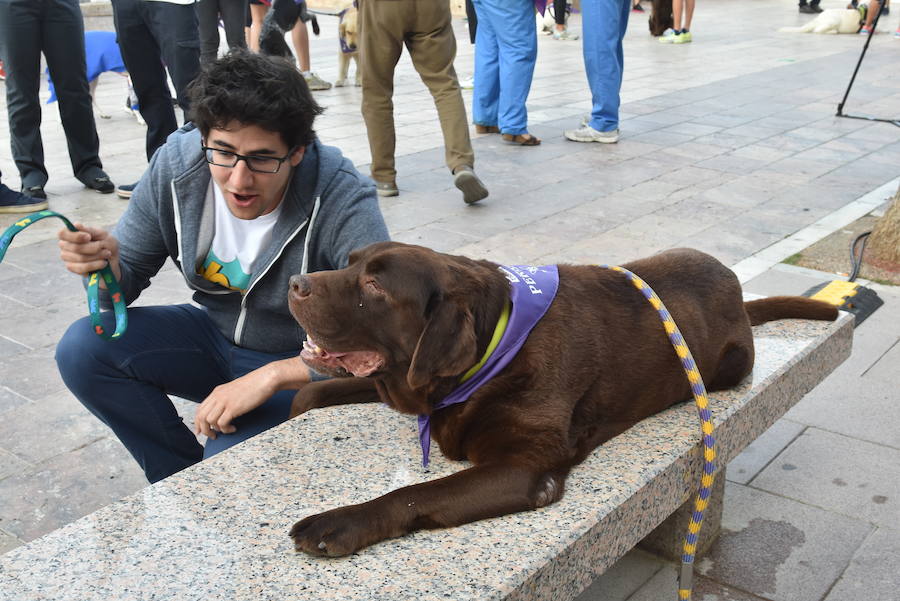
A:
432	49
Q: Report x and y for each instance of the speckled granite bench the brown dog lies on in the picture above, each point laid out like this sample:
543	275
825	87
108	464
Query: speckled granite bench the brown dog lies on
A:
219	530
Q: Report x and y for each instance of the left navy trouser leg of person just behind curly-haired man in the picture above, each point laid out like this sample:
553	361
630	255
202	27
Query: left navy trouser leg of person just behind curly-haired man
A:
143	59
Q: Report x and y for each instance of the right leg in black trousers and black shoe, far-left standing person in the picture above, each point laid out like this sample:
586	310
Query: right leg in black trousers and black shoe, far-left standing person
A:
63	35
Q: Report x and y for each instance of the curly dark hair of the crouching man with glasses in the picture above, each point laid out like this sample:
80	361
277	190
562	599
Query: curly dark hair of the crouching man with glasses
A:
253	89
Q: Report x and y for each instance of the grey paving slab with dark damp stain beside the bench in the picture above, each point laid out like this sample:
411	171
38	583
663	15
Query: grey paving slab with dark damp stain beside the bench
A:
780	549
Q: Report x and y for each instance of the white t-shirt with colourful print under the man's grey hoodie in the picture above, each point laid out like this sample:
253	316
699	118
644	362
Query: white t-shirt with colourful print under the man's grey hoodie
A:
237	244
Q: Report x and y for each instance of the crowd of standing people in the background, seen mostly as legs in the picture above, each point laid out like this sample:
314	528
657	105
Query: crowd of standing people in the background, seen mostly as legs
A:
167	41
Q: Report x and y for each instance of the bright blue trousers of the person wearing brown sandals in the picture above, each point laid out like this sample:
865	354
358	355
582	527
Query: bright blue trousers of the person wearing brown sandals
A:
505	52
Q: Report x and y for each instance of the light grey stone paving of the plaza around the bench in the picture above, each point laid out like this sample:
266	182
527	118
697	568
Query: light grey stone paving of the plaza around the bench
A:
729	145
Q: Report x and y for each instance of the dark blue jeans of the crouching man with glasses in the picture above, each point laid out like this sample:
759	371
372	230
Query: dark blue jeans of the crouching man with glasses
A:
166	350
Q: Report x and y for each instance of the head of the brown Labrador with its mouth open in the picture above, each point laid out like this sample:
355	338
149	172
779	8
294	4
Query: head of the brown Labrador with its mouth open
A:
397	312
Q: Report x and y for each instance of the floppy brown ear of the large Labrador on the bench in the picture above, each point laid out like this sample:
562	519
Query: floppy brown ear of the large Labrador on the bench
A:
446	347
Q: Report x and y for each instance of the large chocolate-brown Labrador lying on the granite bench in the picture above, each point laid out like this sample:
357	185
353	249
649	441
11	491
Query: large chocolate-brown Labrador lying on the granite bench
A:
405	322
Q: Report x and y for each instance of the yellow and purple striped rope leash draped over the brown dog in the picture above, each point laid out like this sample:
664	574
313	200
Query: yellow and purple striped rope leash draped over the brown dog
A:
685	579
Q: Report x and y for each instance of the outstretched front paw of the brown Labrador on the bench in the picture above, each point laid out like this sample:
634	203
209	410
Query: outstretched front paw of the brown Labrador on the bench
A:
335	533
